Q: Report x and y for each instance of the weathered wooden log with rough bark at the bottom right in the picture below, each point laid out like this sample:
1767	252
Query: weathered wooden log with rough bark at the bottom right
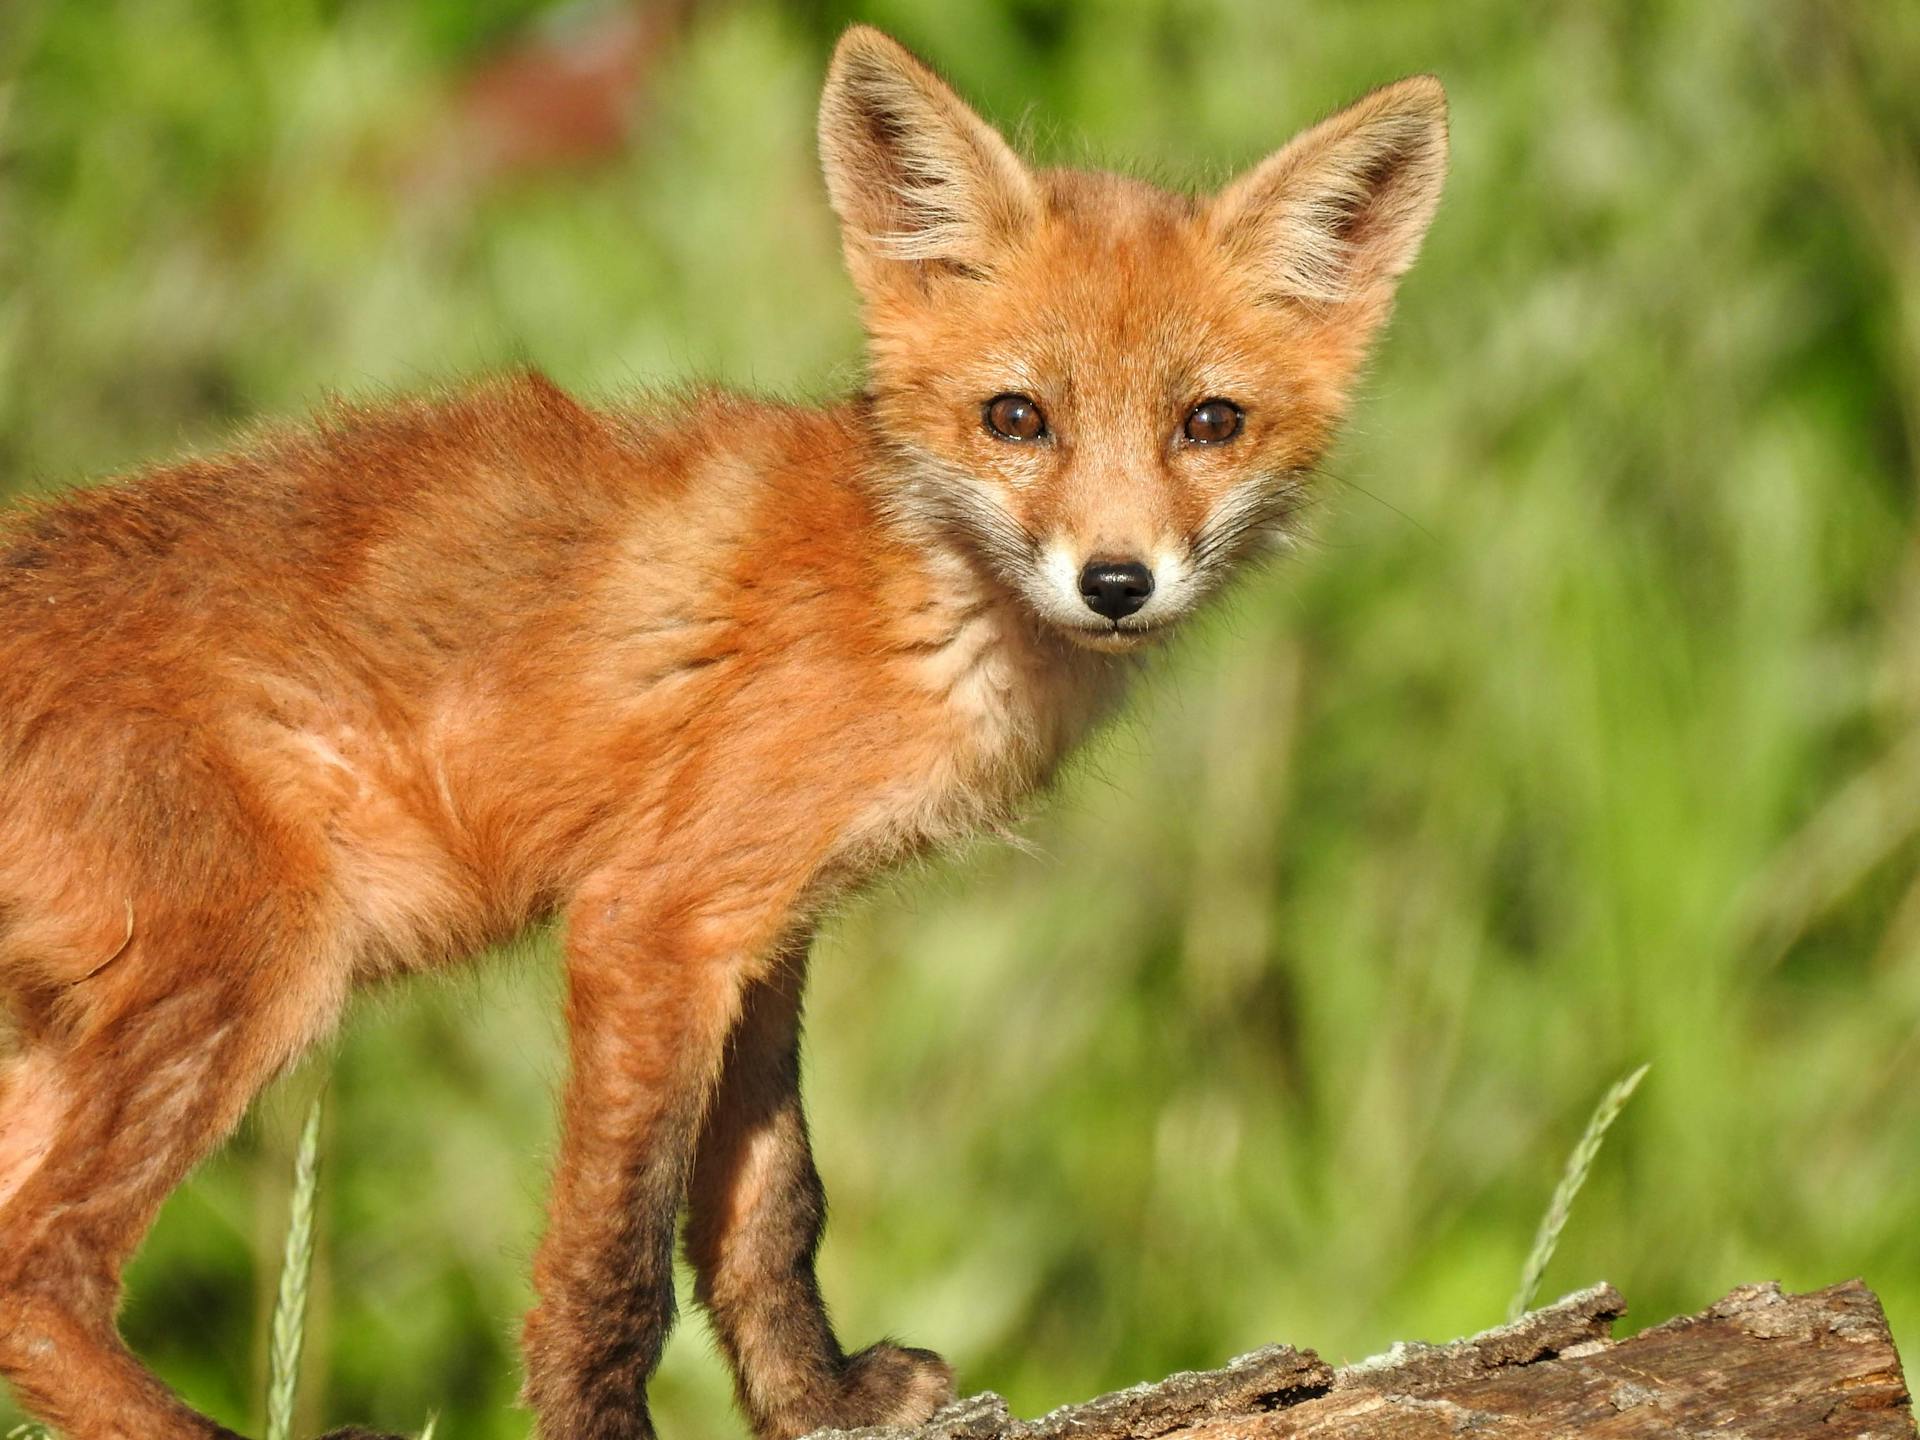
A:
1758	1366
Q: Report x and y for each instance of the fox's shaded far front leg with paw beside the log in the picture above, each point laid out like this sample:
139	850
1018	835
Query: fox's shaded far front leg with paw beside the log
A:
754	1224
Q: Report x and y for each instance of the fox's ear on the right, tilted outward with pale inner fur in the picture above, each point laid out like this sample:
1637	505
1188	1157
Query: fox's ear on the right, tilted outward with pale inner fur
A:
1339	212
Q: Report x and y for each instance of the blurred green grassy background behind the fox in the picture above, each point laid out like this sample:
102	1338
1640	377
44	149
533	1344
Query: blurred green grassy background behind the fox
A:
1585	734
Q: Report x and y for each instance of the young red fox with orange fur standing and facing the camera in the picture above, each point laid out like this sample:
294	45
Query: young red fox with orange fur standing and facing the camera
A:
368	696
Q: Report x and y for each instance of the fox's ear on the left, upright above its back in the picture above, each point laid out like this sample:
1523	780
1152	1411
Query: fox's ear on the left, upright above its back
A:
919	181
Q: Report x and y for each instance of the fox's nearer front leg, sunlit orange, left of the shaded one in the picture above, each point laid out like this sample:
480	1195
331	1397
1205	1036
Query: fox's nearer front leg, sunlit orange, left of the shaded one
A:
654	992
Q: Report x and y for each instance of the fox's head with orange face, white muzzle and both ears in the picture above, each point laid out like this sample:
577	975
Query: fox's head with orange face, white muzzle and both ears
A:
1109	391
